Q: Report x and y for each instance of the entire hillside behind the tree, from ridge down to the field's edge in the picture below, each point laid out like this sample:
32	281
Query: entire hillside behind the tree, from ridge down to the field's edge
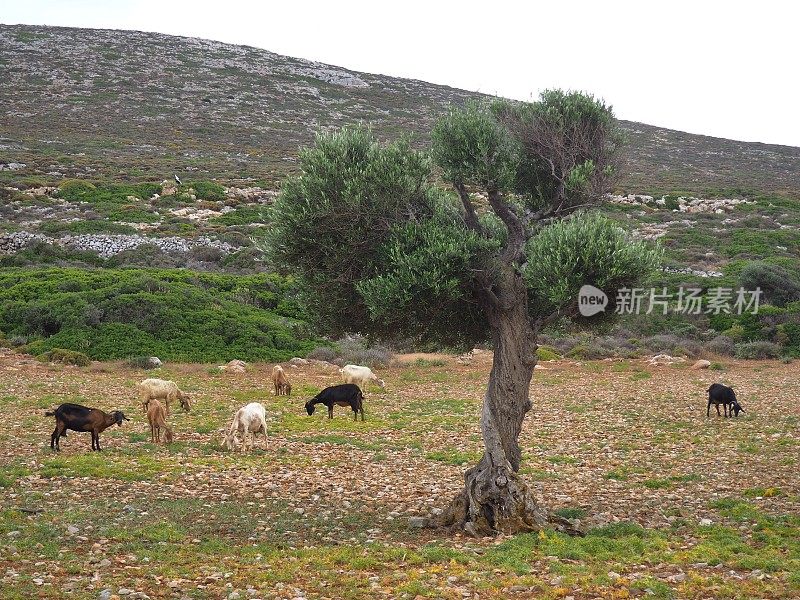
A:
92	121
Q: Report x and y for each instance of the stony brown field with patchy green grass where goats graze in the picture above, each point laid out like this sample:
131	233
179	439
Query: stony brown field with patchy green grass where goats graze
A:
675	505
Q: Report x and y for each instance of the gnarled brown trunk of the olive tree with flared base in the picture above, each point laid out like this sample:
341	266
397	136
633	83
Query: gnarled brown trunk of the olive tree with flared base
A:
495	499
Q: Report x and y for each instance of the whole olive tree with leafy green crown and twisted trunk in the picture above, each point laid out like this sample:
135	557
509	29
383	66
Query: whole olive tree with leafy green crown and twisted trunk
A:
380	247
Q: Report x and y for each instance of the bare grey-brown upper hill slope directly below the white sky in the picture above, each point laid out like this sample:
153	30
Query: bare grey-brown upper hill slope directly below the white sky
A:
141	106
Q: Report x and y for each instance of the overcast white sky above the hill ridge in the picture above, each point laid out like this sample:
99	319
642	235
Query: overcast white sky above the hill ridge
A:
727	69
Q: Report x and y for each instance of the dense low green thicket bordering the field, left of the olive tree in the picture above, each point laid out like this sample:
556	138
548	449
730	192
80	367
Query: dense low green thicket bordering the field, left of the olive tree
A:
176	315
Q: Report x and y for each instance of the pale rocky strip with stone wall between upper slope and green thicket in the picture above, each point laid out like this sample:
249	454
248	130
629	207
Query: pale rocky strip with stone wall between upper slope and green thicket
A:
39	216
